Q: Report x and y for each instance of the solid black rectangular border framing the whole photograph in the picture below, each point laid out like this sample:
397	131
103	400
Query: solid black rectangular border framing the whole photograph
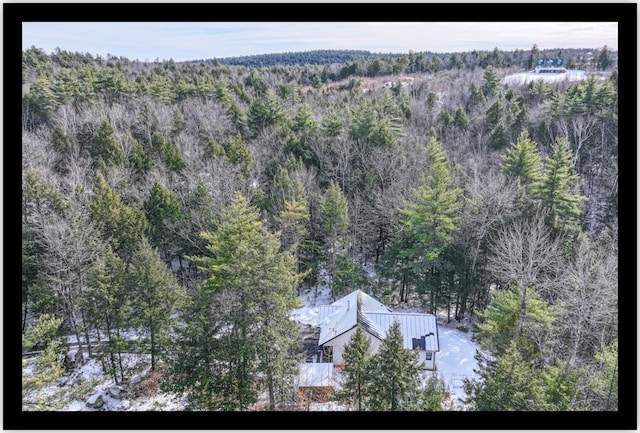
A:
623	13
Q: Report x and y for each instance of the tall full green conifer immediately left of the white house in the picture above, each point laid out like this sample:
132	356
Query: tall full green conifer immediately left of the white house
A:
255	281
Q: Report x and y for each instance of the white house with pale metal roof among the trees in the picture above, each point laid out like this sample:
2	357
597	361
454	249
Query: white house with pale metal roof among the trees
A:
339	321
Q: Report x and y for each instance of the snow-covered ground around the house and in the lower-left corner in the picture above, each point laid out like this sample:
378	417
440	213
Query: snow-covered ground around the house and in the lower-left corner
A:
455	361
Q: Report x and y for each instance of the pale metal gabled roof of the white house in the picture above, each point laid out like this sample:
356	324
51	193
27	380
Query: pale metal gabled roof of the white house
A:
376	318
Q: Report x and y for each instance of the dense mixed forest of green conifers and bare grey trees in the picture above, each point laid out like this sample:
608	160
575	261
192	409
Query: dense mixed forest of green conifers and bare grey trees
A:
192	202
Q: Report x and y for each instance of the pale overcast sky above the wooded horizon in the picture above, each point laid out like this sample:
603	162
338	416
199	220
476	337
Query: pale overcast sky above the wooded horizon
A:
191	40
